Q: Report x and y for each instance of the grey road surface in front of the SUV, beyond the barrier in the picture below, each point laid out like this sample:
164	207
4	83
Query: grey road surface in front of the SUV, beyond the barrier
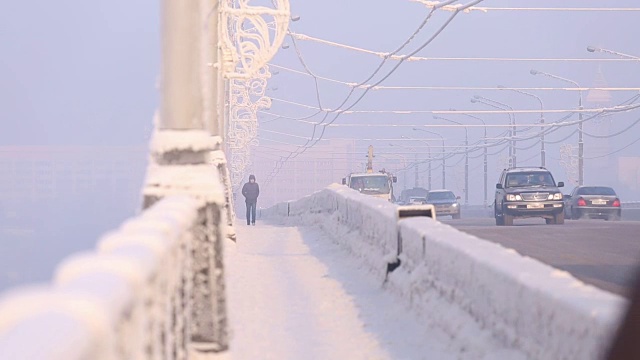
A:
602	253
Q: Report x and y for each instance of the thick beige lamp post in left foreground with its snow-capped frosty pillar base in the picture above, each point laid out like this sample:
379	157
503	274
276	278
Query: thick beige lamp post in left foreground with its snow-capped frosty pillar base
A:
180	150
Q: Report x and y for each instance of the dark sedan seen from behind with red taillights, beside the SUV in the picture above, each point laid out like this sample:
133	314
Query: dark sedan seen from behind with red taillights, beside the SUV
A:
593	202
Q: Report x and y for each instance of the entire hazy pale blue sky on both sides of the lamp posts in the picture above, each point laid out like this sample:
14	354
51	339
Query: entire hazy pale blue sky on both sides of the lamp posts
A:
83	73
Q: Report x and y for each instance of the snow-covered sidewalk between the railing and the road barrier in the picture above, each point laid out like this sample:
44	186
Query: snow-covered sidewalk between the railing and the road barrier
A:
294	294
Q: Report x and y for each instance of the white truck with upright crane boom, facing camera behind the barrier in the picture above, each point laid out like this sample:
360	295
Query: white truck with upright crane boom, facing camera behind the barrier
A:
378	184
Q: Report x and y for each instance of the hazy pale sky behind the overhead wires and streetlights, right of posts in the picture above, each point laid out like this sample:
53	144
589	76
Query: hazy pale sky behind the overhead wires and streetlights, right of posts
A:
382	27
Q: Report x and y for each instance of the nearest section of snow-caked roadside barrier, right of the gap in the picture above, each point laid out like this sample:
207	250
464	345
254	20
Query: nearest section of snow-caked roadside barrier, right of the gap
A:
542	311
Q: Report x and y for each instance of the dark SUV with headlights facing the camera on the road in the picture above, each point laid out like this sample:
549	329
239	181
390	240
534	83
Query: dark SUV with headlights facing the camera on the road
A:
528	192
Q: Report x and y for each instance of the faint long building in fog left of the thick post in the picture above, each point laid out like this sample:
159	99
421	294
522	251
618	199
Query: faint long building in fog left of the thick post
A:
36	173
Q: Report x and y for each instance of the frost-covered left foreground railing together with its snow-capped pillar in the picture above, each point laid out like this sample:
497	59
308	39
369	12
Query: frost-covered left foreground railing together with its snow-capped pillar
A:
152	289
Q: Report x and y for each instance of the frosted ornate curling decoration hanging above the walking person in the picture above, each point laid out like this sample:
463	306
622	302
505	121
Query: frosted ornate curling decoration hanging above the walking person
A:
248	43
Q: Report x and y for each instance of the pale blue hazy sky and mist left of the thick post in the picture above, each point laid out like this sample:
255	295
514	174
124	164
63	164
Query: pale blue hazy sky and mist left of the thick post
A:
74	74
